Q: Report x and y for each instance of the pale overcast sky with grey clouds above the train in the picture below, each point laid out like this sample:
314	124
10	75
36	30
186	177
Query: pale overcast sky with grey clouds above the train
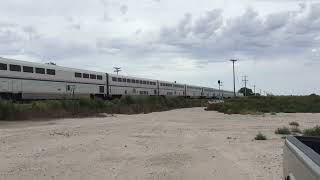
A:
277	42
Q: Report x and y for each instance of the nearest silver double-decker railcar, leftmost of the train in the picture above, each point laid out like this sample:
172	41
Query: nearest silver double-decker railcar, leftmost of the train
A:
27	80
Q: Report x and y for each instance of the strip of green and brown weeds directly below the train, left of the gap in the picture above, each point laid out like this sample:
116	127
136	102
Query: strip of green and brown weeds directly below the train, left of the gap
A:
89	107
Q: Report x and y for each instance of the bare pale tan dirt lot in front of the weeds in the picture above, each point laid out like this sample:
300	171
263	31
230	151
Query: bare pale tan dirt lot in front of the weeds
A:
179	144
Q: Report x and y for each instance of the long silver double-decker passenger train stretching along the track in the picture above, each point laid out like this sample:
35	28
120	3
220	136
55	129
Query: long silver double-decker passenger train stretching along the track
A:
31	81
